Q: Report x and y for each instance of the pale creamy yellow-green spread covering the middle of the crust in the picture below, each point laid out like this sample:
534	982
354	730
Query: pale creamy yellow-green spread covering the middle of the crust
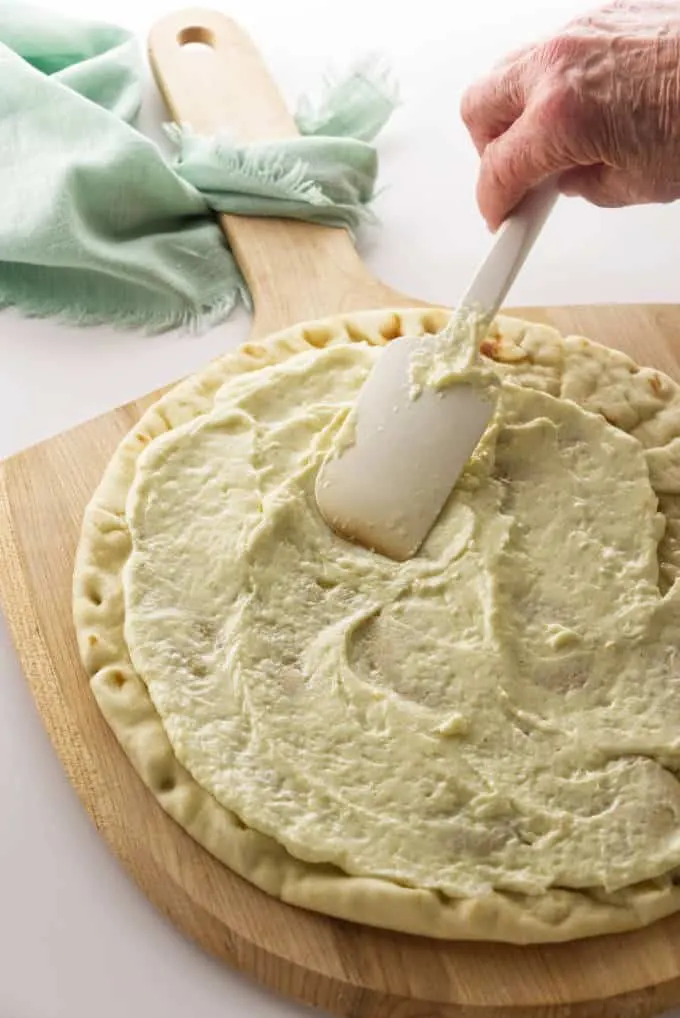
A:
500	712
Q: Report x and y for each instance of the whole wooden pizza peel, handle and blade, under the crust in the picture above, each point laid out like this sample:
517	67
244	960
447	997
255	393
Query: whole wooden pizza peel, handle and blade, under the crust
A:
297	273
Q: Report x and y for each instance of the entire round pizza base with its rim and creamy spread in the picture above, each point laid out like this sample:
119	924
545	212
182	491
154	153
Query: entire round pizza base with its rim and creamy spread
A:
478	744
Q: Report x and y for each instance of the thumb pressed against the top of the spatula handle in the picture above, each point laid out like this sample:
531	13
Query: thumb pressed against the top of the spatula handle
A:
522	158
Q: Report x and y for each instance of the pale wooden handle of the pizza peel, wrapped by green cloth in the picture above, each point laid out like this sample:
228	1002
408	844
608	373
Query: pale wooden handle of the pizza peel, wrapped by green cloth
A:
295	270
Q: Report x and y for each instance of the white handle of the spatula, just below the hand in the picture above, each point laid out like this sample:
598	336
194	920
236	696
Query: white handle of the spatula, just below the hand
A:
509	251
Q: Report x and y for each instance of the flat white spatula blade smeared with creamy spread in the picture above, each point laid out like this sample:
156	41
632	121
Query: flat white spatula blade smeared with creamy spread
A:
386	487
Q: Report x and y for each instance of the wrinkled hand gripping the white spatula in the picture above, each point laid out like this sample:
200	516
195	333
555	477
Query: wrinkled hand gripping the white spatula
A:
598	105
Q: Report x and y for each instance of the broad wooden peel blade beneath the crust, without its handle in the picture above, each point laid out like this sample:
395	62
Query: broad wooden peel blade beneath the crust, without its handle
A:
345	969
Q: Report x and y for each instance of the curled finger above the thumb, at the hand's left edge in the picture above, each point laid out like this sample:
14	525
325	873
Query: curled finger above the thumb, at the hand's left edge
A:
491	106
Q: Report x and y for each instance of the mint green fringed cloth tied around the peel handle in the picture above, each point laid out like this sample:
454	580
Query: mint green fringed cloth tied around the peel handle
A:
98	227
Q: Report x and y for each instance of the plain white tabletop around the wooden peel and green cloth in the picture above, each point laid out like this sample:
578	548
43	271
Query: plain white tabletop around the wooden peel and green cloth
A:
77	938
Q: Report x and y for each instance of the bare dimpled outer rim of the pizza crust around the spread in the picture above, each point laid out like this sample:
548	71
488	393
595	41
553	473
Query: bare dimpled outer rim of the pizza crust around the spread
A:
641	402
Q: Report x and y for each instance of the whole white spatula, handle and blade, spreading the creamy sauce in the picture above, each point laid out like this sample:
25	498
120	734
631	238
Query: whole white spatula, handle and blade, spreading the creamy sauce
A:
386	489
